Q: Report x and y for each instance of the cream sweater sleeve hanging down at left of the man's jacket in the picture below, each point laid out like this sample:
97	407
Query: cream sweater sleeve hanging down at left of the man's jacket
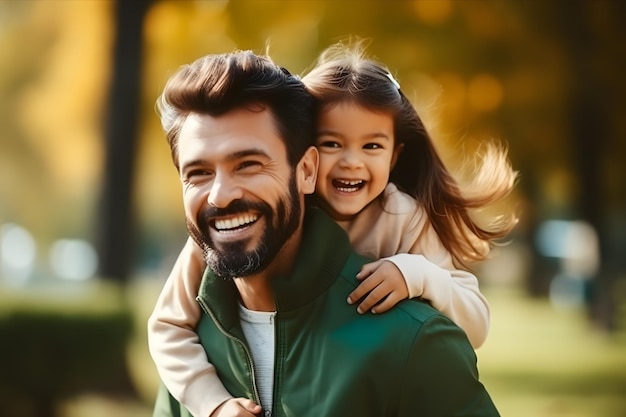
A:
173	343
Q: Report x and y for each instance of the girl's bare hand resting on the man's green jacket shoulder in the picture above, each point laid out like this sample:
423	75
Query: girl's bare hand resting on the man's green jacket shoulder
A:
384	283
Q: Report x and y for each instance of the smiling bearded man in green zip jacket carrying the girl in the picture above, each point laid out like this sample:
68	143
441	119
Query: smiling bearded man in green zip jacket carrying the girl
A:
277	326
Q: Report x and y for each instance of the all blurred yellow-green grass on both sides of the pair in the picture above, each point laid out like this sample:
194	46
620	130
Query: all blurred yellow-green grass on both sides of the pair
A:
538	361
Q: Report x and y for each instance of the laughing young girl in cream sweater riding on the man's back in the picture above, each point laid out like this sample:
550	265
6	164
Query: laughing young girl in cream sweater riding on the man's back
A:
382	181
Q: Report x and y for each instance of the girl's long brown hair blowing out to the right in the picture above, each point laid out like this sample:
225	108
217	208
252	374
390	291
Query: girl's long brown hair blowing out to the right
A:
344	74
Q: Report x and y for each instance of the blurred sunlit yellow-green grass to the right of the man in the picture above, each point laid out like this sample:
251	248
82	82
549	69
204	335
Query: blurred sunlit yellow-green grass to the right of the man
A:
545	362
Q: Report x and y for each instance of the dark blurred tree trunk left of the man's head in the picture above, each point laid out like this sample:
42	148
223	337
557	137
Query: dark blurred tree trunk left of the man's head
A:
115	223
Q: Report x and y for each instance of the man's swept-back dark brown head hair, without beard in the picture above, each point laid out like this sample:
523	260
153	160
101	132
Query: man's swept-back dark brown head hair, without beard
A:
217	84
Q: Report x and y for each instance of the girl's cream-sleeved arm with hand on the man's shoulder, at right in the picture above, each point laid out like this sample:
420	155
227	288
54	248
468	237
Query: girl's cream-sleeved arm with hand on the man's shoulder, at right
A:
403	236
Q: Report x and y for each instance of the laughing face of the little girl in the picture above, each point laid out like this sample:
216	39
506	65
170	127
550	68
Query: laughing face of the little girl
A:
357	151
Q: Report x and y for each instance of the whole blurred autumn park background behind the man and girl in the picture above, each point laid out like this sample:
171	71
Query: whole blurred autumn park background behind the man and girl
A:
90	208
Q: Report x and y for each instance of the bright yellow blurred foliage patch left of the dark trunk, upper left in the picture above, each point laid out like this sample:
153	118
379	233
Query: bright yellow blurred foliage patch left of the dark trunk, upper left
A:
59	111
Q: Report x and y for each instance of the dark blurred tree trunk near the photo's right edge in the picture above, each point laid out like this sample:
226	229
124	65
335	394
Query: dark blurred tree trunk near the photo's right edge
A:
591	112
